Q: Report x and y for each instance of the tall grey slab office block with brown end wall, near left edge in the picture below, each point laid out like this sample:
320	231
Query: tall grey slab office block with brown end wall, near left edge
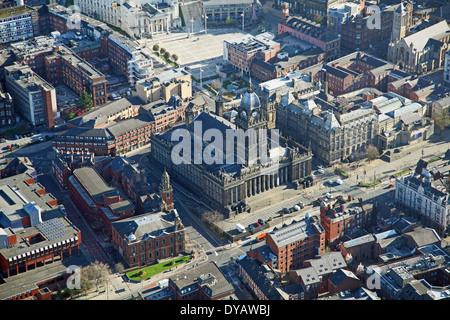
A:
33	97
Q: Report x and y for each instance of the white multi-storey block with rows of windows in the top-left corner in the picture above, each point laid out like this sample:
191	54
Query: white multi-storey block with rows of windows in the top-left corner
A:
18	23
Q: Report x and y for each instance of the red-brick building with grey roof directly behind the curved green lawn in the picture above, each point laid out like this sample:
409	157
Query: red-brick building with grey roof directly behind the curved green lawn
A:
144	239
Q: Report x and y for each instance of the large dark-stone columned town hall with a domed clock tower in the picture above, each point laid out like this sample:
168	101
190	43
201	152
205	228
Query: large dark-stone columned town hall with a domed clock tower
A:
226	186
